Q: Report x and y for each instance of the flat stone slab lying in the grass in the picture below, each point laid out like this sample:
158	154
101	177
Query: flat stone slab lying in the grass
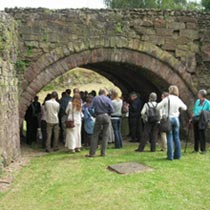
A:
129	168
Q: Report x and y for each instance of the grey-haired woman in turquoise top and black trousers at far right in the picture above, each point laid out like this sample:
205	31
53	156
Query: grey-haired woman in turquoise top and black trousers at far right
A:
201	104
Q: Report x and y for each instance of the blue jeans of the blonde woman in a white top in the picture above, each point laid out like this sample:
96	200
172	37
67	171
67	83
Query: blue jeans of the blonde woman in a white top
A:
173	140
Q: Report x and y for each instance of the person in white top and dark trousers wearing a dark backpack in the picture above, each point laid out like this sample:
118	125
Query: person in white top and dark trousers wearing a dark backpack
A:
151	117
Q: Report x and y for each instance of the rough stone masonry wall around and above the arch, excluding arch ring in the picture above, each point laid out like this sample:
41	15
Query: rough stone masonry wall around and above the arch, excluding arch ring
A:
28	34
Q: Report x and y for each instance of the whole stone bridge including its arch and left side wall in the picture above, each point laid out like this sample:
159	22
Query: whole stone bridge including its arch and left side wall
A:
142	50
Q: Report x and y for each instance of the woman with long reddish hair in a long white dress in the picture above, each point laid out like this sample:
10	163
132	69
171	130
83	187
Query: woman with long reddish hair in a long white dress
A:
73	135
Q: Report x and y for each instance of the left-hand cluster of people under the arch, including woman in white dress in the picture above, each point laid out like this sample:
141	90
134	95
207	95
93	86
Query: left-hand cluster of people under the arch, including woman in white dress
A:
94	117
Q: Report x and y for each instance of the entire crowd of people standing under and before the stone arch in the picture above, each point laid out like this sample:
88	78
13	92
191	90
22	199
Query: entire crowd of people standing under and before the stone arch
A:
88	119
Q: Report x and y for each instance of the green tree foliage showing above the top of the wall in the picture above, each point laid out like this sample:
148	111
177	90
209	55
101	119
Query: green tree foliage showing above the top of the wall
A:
157	4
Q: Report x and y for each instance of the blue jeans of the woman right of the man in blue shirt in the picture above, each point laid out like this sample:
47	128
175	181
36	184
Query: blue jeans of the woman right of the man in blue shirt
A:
116	124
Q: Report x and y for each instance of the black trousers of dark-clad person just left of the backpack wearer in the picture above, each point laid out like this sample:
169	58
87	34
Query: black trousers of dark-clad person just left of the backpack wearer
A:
135	128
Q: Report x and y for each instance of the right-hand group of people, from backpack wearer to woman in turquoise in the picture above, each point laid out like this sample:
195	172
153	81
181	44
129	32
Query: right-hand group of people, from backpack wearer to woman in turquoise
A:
170	106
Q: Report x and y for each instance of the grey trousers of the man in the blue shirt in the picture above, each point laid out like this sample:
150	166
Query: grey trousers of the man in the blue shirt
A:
102	123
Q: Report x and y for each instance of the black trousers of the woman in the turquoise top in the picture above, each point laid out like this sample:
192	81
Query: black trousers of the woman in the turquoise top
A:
199	137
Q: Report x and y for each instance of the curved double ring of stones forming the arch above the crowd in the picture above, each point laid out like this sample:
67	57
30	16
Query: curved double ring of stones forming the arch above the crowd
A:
150	58
